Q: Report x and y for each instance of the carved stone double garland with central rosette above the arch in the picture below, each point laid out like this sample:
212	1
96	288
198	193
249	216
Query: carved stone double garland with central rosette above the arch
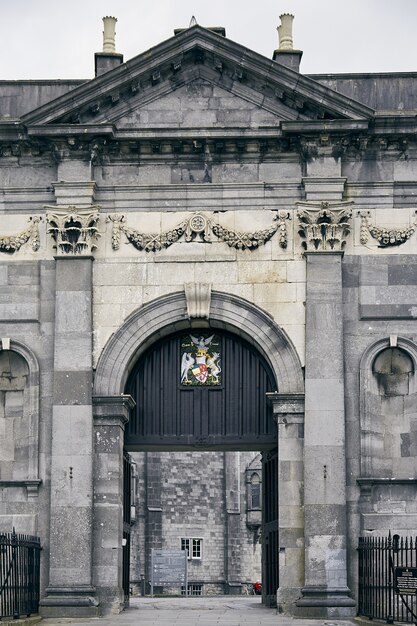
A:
198	227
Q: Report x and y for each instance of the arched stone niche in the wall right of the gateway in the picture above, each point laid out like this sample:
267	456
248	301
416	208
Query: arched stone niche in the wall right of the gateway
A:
388	401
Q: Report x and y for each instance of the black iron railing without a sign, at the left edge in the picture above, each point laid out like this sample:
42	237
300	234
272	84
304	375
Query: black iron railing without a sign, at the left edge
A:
19	574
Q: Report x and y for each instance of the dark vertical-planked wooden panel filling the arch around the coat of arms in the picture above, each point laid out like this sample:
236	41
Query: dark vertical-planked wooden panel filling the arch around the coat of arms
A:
233	414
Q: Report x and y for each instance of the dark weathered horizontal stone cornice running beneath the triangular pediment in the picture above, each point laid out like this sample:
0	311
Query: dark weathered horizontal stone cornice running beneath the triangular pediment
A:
305	139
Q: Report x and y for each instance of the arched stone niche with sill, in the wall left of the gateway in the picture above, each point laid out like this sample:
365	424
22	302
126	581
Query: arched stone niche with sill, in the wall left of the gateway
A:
19	391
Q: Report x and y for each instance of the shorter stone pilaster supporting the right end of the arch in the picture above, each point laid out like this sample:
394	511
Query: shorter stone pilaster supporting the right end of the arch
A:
289	414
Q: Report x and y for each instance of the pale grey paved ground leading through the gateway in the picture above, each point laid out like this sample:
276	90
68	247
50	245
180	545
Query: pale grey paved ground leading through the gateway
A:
214	611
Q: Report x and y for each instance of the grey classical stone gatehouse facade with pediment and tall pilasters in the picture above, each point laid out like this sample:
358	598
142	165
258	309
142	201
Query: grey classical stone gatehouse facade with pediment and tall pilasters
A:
202	187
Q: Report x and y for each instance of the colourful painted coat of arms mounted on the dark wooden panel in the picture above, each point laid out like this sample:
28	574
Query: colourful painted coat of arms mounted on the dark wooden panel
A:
200	360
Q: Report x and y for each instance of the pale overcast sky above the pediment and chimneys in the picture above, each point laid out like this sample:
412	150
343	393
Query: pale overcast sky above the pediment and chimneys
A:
57	38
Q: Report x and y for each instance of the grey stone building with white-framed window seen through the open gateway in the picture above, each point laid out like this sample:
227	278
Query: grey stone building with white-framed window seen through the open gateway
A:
192	490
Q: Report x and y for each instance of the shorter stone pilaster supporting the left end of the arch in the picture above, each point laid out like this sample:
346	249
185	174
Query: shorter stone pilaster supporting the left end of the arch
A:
111	413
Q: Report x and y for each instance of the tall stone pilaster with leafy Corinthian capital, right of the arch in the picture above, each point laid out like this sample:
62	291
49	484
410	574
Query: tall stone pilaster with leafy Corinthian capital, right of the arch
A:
325	594
